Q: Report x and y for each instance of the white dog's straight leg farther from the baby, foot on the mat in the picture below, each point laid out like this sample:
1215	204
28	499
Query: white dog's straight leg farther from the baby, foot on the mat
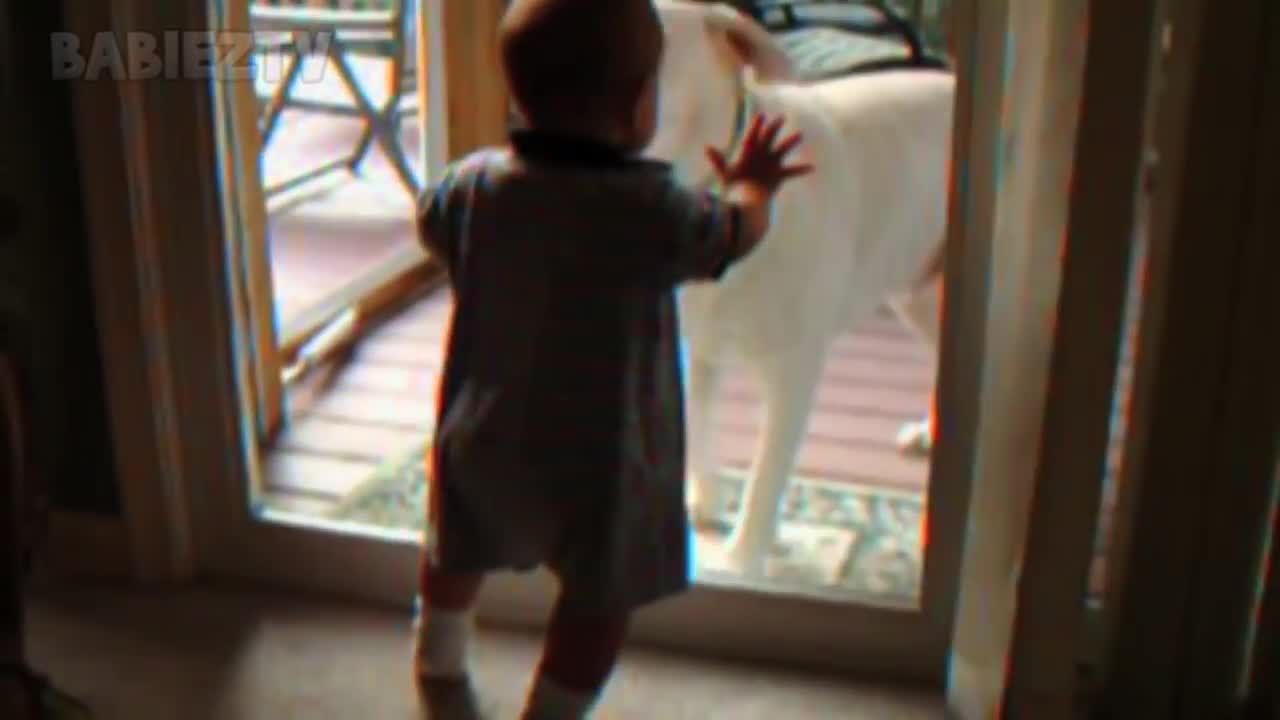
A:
789	384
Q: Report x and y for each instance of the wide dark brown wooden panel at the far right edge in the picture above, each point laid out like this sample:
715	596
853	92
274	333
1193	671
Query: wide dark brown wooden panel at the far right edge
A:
1199	481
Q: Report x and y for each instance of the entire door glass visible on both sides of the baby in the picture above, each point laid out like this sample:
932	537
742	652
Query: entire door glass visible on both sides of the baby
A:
836	463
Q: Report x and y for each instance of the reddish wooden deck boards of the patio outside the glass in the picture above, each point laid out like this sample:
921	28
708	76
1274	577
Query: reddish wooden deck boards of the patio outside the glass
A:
383	400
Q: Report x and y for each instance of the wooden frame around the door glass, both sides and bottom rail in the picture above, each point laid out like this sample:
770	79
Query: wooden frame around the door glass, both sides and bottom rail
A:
185	500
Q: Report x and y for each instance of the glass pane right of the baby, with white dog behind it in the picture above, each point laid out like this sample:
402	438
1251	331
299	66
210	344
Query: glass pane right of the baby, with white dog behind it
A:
810	458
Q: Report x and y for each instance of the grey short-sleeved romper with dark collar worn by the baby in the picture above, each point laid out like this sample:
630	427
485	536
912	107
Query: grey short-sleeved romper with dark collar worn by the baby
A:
560	438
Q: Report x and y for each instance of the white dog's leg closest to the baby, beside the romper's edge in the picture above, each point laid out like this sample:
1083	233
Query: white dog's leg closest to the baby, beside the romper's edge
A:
707	502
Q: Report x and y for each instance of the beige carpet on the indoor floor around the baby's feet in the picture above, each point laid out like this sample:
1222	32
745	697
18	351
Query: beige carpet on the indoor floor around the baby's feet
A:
205	654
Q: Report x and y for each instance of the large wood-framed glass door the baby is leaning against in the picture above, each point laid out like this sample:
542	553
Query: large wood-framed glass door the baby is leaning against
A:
831	500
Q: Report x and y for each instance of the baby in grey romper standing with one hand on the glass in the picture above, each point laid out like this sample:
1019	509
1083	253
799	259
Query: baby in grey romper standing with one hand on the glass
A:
561	435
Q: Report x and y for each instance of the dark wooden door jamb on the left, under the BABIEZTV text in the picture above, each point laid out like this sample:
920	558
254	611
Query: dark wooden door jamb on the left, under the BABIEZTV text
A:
125	213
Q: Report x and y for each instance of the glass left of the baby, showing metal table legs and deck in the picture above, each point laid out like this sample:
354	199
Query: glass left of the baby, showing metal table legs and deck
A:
339	148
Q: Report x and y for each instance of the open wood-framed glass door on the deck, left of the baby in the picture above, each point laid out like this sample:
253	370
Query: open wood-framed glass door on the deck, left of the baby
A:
321	183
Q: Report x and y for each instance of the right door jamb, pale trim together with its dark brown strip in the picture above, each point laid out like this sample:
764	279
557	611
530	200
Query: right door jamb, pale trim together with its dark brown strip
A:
1021	625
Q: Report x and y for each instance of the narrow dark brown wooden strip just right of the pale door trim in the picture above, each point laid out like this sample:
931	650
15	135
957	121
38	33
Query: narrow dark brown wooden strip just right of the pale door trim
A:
1055	632
